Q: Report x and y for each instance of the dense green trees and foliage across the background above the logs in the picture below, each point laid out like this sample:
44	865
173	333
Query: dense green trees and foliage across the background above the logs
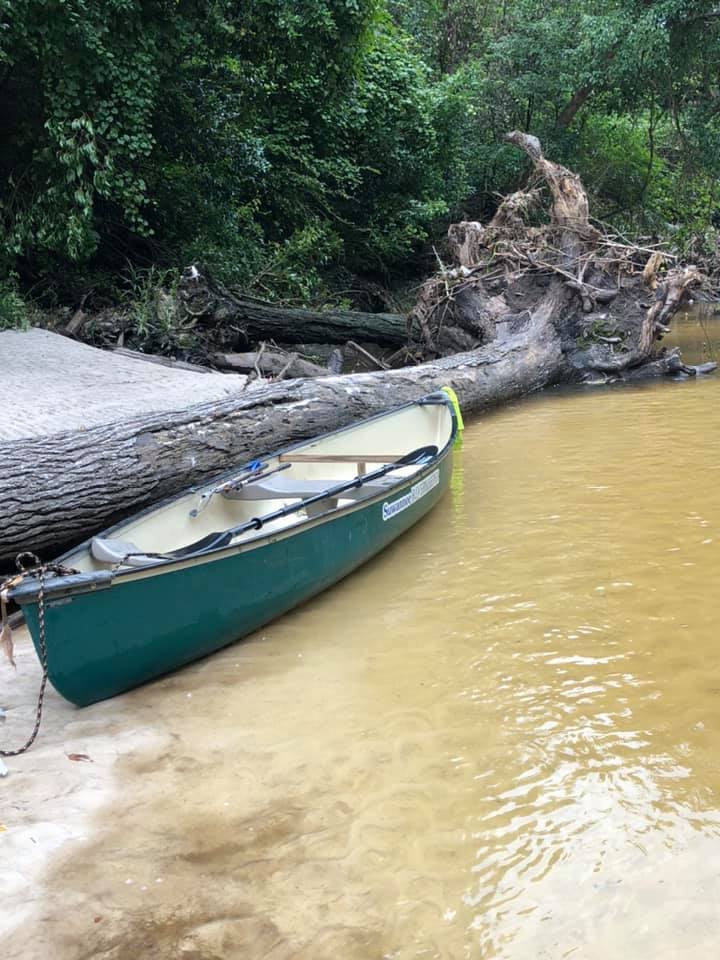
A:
287	144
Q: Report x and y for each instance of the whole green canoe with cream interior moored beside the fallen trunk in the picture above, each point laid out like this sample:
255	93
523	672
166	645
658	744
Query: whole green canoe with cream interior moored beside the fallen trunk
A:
206	567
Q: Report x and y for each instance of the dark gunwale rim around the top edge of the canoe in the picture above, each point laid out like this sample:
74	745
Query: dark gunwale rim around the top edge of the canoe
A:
57	587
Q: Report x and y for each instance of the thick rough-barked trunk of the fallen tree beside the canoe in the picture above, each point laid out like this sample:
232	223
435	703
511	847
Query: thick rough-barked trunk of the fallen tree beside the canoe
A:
56	490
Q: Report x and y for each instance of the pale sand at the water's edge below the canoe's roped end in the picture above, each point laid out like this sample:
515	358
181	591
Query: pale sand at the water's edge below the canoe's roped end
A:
47	800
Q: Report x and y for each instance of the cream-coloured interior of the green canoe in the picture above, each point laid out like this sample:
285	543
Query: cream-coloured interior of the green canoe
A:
367	446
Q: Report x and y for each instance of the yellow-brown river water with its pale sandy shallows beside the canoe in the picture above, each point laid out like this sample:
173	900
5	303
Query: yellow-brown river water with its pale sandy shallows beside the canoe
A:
501	739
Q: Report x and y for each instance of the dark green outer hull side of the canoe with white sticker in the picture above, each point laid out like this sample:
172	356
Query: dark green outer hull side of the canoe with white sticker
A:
104	642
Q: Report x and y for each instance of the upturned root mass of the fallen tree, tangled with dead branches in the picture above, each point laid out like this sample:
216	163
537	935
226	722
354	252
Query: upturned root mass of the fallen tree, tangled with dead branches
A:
609	299
